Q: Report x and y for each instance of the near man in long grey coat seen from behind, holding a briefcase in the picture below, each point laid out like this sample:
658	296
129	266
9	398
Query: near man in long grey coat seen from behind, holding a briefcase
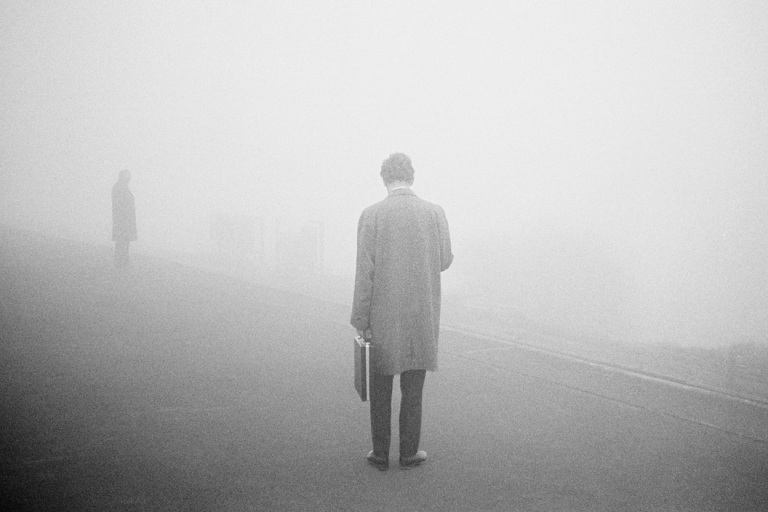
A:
403	245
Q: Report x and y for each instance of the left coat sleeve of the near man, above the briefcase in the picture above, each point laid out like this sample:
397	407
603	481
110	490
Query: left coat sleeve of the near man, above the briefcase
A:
361	304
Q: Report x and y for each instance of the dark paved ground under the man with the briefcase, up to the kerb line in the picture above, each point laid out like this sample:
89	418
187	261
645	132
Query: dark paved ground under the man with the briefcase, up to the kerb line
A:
167	388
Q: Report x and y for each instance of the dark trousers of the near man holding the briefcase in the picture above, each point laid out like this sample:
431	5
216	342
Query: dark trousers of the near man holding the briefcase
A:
411	386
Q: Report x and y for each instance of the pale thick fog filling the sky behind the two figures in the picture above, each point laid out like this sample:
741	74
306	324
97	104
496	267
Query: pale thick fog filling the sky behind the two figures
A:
603	165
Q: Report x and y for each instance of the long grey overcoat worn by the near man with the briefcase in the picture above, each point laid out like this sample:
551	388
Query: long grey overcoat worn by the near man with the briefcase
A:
403	246
